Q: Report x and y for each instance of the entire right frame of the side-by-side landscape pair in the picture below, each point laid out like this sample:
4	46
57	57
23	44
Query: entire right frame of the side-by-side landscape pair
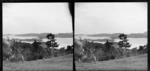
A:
111	36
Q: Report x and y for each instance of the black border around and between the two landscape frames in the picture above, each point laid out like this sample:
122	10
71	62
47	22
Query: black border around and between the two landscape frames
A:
72	6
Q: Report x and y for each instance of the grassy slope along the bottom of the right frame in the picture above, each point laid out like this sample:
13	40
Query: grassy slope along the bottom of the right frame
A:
135	63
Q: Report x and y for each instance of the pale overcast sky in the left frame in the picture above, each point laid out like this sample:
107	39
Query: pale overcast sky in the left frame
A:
20	18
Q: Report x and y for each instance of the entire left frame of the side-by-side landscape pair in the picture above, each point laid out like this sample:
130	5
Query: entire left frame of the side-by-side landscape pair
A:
37	36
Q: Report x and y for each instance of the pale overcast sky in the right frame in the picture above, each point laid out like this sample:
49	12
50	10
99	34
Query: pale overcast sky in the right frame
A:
93	18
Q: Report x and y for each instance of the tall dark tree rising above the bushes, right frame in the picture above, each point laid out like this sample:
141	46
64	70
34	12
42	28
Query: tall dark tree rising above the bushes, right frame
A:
124	42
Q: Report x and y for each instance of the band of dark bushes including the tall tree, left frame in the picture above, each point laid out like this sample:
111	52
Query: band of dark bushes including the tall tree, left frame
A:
19	51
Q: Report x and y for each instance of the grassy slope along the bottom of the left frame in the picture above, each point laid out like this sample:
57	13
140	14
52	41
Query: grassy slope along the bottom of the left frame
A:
56	63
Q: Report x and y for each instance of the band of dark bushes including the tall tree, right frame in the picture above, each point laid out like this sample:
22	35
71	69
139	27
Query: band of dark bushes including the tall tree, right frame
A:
86	51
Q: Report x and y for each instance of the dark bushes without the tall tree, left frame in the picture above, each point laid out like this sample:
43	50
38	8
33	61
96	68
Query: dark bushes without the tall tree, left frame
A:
32	51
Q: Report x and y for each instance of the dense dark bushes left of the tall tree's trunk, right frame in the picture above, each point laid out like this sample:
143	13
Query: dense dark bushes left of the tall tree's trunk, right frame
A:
101	51
